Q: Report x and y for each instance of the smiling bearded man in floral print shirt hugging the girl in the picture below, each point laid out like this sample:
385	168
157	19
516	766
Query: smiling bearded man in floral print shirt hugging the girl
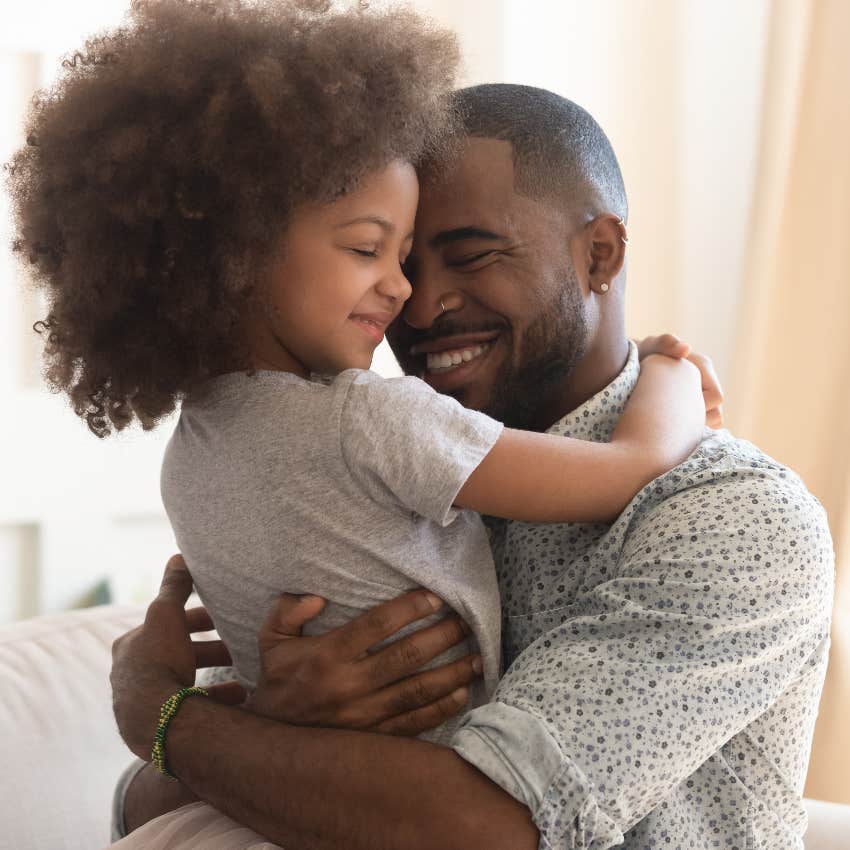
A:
662	673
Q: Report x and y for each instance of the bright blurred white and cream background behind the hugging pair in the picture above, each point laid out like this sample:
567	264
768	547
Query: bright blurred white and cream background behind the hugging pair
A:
732	124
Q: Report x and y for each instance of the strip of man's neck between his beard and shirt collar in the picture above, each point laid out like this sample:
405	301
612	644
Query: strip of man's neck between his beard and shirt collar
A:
601	364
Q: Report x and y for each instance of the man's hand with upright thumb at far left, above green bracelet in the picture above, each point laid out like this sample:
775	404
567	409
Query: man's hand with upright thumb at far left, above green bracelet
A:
156	659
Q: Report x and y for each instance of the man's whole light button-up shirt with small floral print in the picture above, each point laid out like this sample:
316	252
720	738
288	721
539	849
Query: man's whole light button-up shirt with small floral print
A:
663	673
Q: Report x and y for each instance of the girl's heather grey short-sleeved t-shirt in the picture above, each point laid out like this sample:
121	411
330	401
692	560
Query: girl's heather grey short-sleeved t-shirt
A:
343	489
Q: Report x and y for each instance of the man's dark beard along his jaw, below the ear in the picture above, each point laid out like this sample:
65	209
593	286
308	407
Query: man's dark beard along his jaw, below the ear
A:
552	346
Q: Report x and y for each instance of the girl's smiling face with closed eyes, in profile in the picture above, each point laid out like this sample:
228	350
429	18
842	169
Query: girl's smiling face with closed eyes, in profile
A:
336	281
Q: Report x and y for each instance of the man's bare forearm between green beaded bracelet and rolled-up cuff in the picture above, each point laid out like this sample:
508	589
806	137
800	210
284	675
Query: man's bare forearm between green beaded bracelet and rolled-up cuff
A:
322	789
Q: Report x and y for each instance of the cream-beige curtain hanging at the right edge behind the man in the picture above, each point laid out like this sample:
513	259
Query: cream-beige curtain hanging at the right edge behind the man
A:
791	394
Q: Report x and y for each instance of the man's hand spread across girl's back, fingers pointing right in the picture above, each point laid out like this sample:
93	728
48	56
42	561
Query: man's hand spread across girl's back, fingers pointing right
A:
333	679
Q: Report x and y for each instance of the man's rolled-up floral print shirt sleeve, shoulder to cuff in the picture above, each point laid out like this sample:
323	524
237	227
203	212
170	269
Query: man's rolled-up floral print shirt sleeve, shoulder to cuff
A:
719	600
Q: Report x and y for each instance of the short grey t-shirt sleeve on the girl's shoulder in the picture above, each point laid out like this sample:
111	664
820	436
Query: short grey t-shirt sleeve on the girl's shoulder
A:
409	446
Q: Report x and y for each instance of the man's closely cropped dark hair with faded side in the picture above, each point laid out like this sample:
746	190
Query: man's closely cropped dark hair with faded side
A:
560	153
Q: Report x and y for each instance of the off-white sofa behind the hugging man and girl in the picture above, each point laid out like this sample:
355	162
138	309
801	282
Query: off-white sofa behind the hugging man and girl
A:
62	753
